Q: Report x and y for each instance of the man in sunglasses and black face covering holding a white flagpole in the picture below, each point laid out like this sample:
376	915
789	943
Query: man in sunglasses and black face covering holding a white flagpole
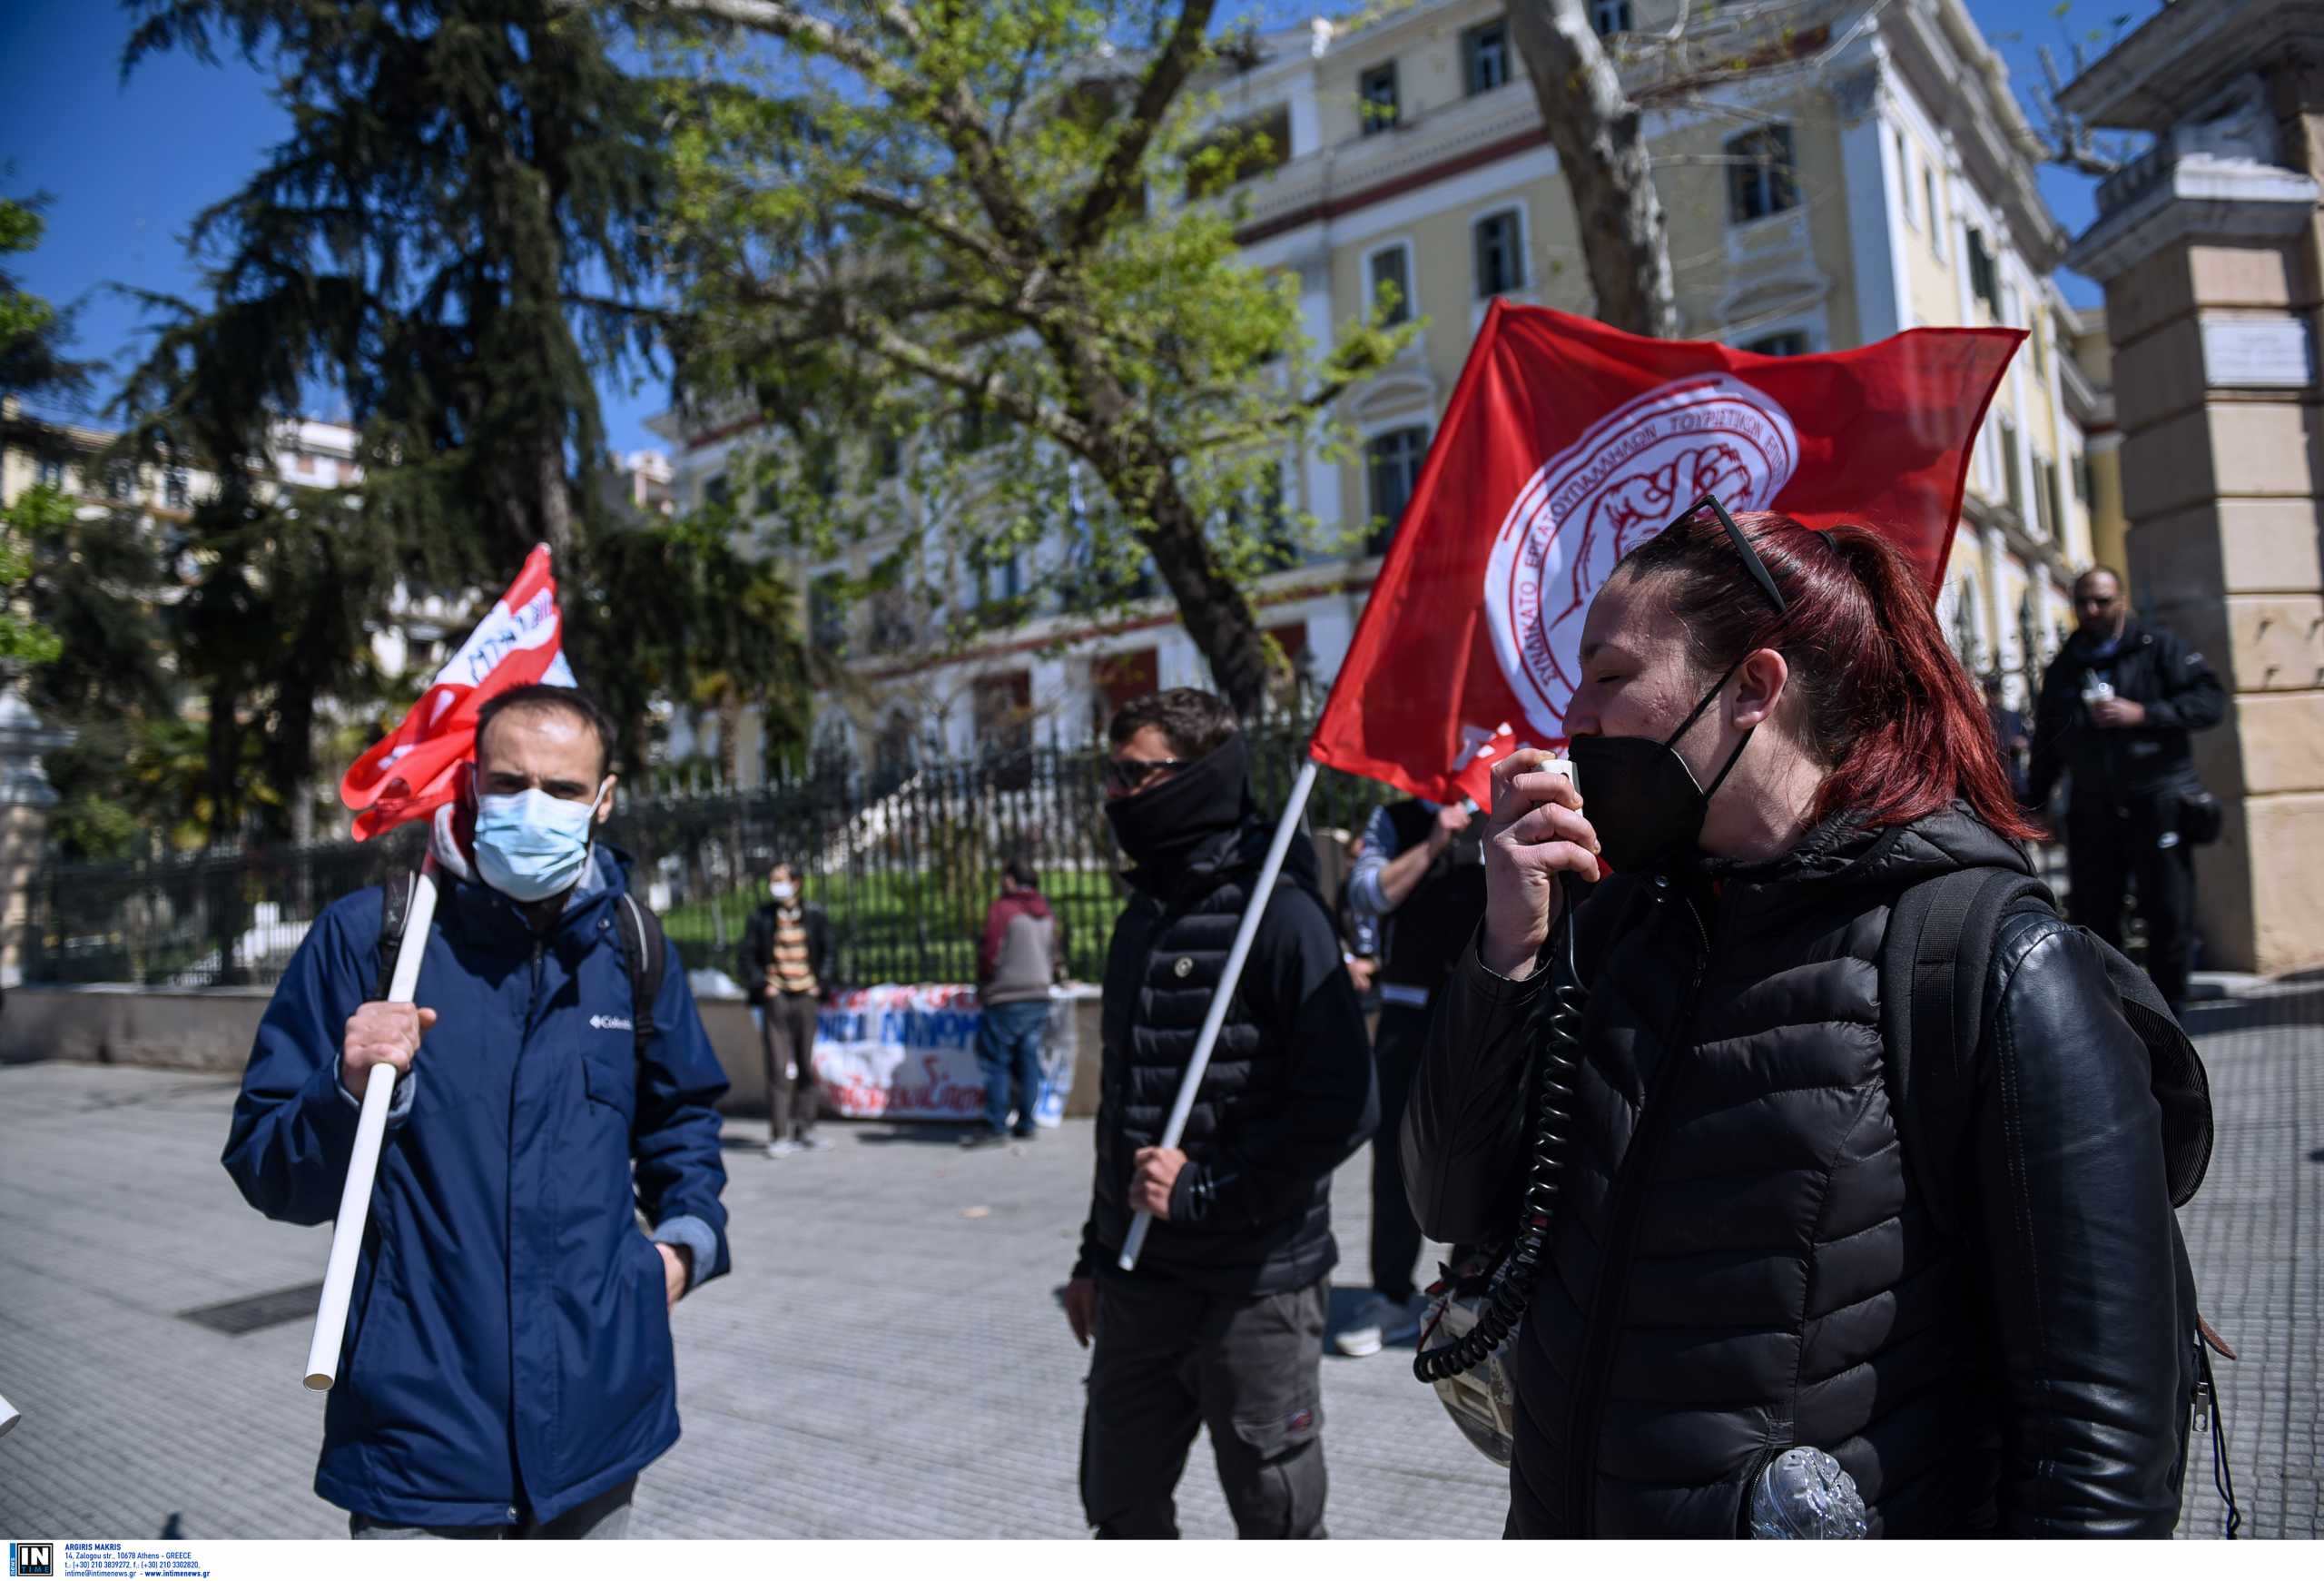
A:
1221	1324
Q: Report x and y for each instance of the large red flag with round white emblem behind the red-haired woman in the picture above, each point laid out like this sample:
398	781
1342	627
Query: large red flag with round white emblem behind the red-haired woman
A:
1565	445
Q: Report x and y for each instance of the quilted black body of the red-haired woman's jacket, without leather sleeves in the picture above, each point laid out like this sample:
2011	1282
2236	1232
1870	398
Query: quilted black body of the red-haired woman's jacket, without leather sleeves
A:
1740	1264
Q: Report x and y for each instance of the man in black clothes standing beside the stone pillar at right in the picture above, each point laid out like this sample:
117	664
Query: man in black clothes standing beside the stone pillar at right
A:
2118	708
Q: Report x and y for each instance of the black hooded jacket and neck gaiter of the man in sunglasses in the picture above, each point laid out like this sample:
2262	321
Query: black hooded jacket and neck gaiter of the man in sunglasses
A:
1289	1094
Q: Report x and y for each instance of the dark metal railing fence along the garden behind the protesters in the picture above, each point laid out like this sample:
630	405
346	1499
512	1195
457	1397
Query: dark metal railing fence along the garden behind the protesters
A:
905	868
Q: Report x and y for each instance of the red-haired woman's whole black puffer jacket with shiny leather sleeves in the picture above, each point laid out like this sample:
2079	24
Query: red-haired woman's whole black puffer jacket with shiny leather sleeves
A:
1742	1259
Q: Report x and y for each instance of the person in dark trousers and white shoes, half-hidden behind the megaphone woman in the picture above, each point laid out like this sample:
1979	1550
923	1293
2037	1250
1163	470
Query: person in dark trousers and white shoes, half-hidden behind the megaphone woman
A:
1421	882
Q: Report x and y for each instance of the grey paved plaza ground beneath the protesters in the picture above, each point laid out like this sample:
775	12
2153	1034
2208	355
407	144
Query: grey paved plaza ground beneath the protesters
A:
889	1357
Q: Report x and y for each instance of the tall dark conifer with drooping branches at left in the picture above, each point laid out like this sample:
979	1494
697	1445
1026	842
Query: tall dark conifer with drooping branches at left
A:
454	238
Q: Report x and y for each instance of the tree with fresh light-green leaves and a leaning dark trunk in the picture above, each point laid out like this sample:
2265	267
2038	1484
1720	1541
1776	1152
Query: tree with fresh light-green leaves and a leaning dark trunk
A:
991	248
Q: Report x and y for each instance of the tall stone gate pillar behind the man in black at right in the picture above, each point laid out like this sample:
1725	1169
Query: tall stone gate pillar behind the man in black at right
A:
2209	257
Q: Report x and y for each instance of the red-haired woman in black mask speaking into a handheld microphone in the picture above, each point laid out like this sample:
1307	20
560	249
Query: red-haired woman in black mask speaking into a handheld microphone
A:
1772	747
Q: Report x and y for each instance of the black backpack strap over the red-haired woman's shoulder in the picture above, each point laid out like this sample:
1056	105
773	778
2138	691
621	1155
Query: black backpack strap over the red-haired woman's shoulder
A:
1935	966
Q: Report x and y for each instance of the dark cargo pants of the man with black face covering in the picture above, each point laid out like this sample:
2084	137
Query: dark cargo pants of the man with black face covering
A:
1168	1361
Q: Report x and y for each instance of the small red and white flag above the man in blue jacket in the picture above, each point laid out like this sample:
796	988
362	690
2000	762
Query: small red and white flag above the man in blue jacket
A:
417	768
